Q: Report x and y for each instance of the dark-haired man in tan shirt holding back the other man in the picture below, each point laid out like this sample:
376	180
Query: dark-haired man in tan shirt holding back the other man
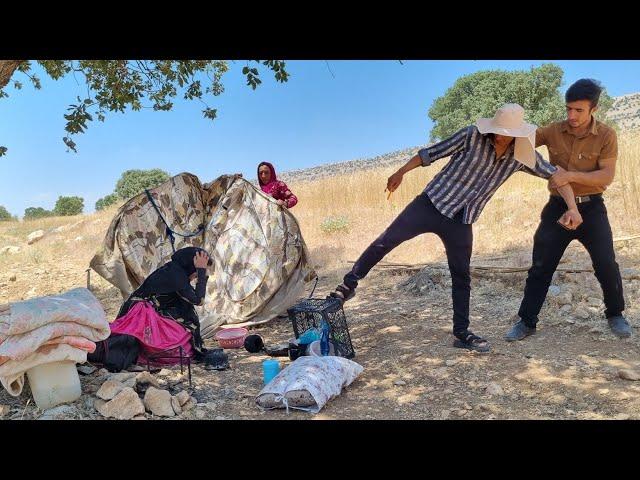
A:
585	150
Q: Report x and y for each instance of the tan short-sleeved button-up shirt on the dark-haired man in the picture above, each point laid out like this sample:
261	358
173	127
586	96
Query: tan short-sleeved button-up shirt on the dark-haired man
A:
579	153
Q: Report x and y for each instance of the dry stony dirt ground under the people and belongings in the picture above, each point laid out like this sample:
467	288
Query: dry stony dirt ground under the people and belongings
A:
402	338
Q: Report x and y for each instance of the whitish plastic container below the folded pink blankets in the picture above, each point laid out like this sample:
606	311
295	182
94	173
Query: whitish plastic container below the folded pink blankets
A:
54	383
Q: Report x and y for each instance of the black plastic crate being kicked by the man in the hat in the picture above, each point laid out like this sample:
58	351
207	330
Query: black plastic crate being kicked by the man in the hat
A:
309	314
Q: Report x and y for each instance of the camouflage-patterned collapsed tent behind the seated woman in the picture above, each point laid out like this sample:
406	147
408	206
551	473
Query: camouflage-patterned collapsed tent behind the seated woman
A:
260	260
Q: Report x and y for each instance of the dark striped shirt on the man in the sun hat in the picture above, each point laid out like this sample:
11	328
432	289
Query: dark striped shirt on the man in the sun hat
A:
472	175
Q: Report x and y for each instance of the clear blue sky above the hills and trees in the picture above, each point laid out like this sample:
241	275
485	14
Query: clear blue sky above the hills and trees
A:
323	114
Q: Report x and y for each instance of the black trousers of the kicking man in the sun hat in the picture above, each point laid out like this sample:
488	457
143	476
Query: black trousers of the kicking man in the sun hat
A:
420	216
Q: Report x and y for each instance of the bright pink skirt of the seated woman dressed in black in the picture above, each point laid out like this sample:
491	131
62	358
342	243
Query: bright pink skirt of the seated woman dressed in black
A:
158	335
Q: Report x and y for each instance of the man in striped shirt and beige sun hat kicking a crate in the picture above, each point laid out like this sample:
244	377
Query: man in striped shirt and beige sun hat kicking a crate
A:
482	157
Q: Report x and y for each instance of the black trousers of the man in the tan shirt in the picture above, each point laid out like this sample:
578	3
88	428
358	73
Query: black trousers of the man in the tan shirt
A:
549	244
